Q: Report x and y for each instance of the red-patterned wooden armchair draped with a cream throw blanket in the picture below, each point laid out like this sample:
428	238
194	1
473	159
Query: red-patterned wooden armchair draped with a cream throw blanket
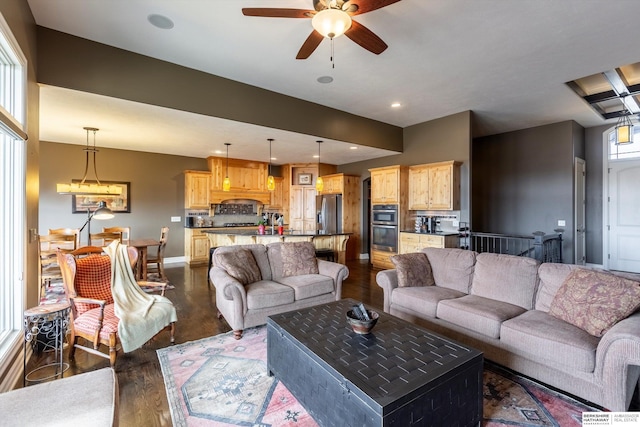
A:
87	278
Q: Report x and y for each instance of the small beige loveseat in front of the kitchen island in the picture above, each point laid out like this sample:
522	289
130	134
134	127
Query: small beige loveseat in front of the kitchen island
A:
285	280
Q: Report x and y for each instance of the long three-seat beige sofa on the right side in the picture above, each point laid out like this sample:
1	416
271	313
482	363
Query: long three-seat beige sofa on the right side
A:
501	305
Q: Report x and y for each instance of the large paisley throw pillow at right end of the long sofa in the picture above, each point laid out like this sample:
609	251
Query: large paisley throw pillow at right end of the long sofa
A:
595	301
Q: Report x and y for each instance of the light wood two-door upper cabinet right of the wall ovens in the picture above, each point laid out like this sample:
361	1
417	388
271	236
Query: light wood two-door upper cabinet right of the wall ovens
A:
434	186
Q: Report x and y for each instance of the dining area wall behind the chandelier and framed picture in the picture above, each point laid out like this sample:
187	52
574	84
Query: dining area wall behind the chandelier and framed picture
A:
157	190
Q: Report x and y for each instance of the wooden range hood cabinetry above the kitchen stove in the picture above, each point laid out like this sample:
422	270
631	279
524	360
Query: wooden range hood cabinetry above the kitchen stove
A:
248	180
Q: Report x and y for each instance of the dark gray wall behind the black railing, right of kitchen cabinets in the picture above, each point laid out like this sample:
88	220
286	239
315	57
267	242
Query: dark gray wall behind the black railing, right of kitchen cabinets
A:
523	181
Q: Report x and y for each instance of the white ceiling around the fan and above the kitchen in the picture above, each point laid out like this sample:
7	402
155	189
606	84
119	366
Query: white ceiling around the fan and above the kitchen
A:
506	60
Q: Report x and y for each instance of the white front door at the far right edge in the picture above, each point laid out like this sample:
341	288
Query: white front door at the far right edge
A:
624	215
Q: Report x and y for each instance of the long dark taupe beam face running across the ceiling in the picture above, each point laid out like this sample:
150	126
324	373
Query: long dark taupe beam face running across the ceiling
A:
75	63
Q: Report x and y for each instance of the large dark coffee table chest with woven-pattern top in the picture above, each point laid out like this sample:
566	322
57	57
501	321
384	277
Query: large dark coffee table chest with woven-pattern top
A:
399	375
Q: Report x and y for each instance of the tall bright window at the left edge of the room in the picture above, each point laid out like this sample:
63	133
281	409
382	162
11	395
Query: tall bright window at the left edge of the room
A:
12	189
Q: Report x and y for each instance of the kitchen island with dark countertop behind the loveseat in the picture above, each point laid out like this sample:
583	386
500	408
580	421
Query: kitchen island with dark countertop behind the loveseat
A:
337	242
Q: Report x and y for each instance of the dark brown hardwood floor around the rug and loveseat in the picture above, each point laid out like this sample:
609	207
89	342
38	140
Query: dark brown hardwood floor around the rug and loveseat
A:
143	400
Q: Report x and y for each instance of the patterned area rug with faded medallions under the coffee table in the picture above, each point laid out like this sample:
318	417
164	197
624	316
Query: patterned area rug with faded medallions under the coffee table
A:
220	381
